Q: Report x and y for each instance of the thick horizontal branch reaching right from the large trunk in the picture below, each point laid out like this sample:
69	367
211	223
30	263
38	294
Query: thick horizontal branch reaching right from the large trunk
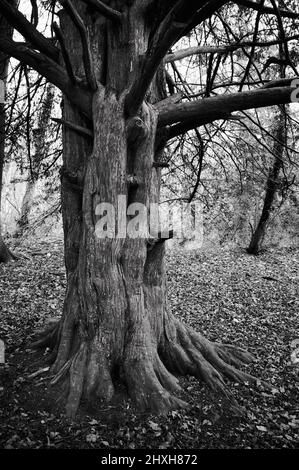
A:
212	109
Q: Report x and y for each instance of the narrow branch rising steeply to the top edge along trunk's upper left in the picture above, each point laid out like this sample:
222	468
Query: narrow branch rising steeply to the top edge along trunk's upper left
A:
87	59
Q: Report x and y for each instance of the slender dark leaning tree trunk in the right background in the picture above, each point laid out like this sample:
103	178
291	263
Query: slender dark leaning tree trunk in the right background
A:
272	184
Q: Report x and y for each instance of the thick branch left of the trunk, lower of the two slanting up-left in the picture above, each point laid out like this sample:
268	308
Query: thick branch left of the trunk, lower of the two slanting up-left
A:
53	72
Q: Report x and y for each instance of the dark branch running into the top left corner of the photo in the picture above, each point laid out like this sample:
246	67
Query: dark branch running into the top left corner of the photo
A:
26	29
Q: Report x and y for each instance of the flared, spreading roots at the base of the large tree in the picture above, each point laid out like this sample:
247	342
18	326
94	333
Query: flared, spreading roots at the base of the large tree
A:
149	371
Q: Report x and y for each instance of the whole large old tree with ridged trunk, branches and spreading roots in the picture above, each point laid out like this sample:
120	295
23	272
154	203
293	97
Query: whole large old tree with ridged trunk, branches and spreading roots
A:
108	60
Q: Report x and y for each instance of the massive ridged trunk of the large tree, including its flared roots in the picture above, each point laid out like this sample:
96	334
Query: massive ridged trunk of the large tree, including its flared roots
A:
116	325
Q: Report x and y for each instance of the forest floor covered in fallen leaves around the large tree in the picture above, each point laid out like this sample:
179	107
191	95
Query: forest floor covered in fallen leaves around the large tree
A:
228	295
